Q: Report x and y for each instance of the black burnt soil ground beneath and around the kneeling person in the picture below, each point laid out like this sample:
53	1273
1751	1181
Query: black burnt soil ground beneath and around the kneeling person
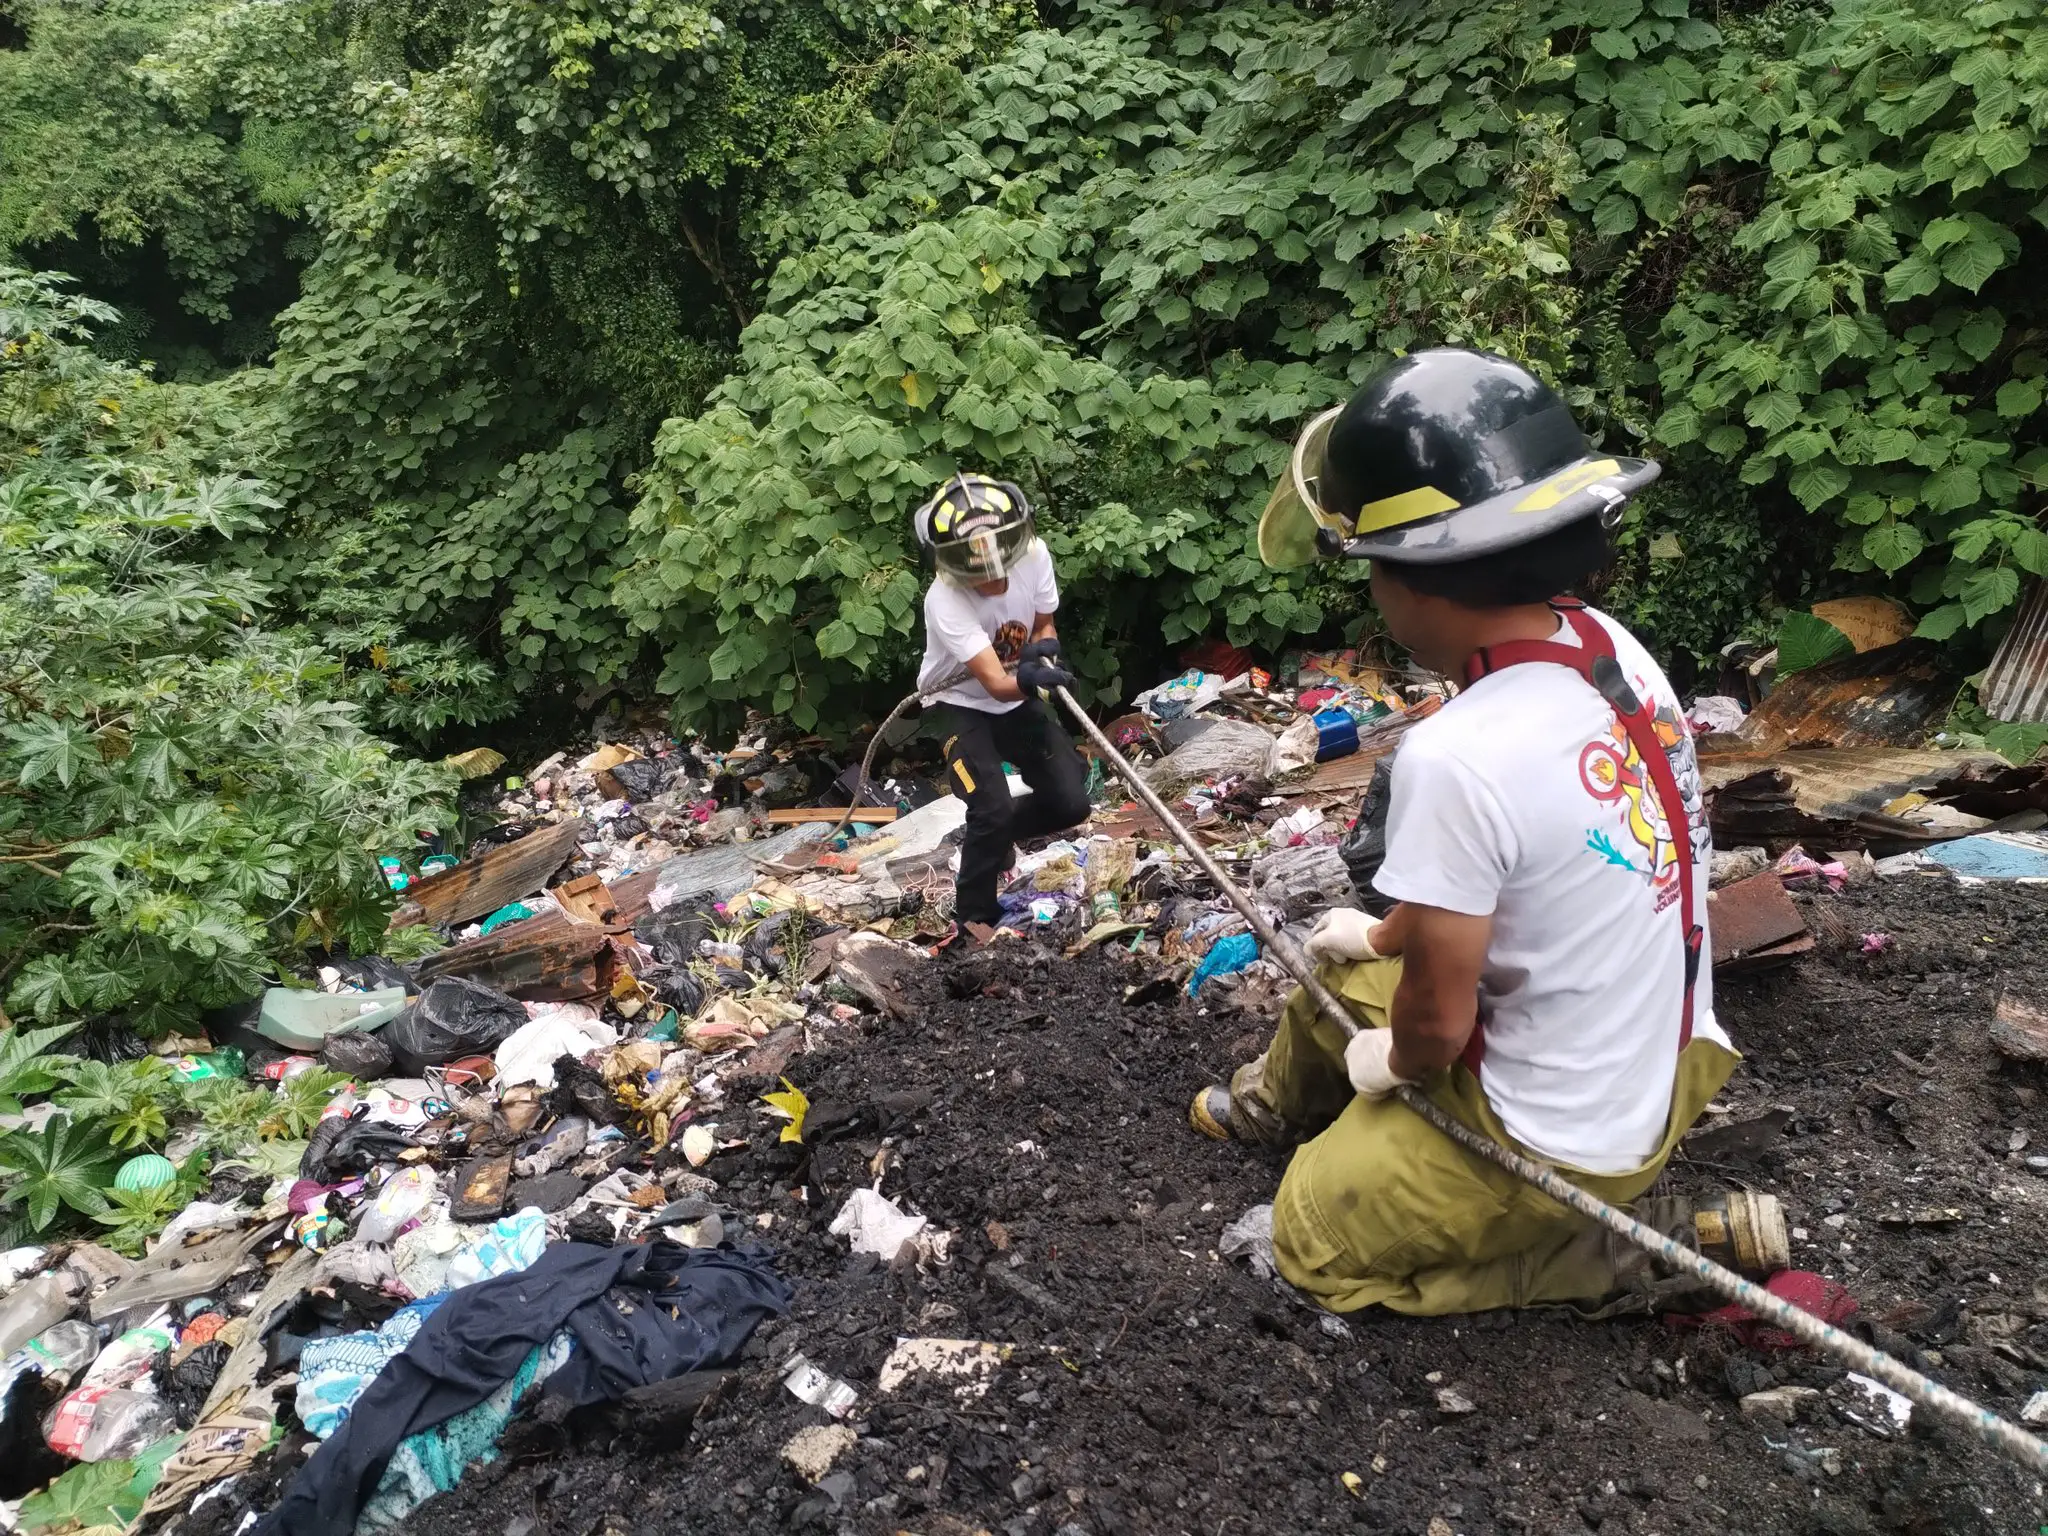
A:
1039	1117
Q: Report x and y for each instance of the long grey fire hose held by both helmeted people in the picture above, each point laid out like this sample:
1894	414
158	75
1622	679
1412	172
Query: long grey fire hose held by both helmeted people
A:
1981	1422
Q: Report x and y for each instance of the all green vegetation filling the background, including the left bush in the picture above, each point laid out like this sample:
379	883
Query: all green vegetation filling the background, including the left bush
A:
501	355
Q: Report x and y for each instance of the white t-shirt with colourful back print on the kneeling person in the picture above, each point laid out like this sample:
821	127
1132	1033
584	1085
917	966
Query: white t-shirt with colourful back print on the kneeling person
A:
1525	800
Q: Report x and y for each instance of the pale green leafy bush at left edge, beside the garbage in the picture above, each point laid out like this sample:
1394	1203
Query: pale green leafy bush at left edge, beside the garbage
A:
187	798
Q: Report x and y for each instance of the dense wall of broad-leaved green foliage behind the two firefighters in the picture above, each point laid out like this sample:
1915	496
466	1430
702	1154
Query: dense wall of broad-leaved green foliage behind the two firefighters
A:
634	337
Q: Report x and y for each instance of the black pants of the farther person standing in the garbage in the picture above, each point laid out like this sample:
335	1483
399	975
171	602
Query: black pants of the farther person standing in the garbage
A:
978	744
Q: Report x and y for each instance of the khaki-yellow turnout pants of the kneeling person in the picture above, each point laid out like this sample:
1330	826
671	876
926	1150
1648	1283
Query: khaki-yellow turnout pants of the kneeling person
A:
1383	1209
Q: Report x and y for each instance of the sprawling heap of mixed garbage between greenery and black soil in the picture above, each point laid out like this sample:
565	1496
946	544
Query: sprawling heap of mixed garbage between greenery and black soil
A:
400	1193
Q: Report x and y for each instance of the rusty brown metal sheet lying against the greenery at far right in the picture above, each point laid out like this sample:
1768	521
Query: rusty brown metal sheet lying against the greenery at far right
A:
1891	697
